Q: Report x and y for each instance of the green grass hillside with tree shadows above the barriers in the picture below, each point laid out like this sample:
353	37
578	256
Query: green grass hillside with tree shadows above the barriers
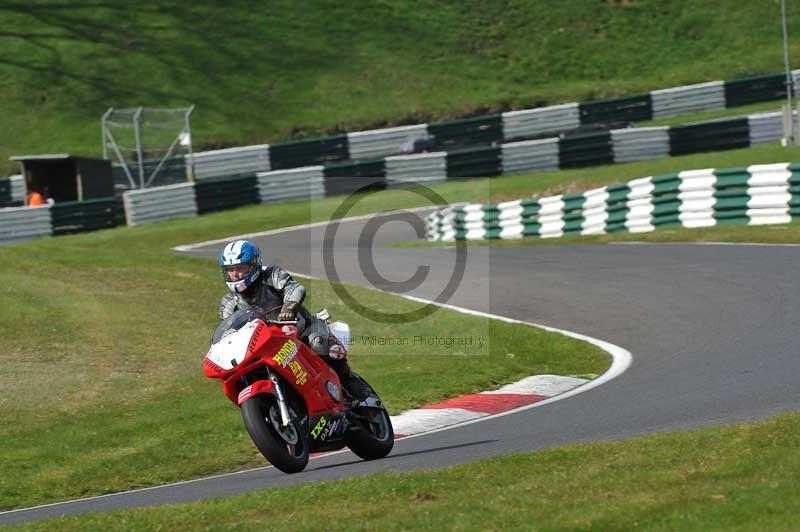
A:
265	72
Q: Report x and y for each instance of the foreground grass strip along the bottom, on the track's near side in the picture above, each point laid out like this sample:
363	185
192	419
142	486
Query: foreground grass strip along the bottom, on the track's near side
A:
738	477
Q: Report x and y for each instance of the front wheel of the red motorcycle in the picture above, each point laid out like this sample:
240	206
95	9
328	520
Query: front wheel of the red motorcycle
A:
284	447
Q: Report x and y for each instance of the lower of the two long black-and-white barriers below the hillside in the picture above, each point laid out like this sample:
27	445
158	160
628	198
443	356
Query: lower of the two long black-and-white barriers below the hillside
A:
312	182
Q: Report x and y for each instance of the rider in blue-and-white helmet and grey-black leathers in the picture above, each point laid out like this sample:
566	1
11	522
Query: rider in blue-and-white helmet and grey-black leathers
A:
270	287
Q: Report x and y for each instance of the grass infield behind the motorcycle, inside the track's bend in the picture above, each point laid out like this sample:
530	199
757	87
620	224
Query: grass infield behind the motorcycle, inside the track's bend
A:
104	335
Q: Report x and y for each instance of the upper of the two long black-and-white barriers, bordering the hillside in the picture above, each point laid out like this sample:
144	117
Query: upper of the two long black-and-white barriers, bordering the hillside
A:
490	130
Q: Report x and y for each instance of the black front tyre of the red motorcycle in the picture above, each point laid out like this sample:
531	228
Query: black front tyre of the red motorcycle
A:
255	412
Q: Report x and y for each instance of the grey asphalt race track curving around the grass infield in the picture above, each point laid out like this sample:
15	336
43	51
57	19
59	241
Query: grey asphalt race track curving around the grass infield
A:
712	330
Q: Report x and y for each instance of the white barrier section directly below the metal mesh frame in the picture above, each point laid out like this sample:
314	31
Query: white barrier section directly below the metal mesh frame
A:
161	203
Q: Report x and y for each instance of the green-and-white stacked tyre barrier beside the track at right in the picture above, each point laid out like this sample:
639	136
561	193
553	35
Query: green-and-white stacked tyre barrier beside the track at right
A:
754	195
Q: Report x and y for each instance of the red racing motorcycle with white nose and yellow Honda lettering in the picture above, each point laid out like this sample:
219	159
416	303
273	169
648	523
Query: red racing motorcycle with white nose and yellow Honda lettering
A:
292	402
